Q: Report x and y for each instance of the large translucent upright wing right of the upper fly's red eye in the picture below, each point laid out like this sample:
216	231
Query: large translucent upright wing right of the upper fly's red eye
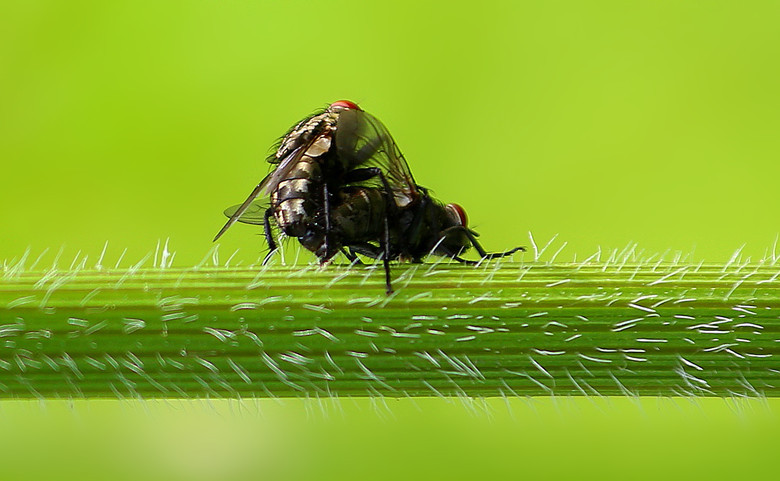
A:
363	141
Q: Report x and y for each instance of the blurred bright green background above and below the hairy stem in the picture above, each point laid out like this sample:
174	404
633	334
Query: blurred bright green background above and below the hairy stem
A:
604	122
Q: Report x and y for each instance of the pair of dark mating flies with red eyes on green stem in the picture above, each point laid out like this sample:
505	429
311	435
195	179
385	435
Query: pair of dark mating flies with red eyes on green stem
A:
342	185
